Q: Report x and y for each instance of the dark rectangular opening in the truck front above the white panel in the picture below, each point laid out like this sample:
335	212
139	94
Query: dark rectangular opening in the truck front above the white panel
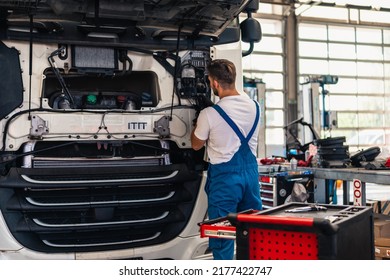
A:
128	91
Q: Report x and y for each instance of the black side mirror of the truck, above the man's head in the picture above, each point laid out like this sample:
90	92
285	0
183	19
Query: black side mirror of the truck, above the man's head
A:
250	27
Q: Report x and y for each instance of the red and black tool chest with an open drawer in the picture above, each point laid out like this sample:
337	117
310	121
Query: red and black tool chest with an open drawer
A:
296	231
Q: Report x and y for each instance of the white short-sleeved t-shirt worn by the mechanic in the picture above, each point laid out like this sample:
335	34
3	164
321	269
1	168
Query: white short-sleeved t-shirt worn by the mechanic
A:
222	141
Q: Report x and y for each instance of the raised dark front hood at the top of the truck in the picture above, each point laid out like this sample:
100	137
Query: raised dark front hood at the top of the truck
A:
121	23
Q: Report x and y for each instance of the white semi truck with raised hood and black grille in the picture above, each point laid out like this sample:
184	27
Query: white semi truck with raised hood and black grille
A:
97	103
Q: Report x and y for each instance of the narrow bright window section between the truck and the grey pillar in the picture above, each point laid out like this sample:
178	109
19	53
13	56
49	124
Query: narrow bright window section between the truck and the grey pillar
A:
266	63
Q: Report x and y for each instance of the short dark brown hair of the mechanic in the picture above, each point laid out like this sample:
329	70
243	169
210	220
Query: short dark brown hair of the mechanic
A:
223	71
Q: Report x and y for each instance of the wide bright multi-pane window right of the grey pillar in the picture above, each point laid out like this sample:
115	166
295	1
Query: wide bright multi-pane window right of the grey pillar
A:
360	57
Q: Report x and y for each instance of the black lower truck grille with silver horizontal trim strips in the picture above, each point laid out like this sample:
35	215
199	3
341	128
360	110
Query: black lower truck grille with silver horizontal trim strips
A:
53	210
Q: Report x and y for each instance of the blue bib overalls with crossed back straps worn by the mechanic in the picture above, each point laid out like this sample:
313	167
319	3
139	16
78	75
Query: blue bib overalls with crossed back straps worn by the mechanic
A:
232	186
